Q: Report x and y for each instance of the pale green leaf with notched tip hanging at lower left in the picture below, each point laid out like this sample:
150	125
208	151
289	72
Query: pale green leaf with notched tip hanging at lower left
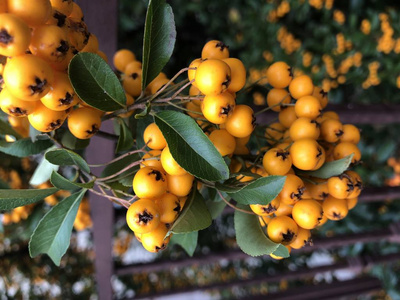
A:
53	233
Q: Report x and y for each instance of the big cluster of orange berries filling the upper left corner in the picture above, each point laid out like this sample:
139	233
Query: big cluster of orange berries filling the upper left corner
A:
37	41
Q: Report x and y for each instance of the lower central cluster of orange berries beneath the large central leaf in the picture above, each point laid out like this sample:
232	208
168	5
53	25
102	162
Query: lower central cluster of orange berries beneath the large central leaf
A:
161	186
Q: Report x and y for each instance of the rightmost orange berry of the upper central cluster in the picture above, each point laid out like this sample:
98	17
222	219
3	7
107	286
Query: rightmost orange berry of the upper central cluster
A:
241	122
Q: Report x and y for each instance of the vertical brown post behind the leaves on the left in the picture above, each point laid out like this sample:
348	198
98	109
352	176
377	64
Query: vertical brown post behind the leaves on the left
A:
101	19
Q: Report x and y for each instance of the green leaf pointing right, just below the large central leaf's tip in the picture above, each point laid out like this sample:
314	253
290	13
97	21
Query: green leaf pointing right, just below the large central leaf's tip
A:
260	191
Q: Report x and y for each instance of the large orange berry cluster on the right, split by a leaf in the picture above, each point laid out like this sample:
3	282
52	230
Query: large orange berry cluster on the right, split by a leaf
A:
305	138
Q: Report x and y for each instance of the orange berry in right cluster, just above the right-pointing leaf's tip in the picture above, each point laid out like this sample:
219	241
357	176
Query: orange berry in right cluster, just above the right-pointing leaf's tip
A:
277	161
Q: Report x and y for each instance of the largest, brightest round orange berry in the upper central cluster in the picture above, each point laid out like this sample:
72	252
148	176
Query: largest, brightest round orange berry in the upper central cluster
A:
213	77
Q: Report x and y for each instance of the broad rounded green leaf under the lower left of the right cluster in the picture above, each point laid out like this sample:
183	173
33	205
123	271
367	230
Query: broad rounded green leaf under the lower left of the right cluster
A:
251	238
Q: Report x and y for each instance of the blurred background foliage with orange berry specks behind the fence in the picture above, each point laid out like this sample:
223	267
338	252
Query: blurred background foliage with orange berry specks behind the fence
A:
350	48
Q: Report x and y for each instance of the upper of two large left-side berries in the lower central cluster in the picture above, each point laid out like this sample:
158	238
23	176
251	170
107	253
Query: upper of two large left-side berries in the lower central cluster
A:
149	182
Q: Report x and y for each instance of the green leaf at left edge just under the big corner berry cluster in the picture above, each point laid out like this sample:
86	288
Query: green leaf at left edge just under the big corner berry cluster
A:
25	147
